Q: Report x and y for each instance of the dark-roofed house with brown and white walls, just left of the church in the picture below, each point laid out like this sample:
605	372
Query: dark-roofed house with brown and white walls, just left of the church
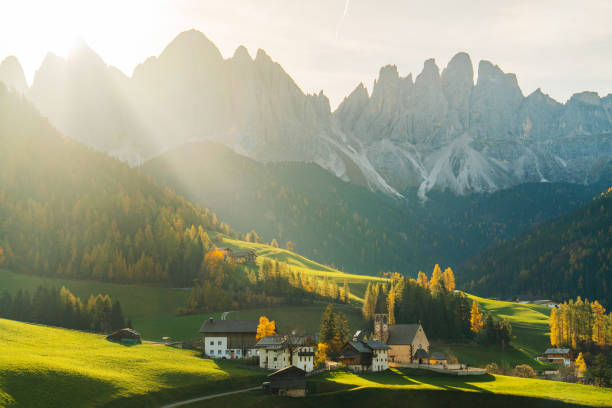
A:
360	355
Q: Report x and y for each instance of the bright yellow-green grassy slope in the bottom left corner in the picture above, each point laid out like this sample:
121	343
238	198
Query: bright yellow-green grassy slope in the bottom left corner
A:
48	367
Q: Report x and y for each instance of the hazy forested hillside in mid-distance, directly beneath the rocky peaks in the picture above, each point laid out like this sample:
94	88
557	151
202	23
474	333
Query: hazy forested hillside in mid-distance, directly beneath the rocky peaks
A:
348	226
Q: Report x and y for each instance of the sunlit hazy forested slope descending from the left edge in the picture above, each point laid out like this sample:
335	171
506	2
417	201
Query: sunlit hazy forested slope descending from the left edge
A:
68	211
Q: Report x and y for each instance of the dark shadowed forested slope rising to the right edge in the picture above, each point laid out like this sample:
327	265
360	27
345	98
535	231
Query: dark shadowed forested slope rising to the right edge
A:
563	258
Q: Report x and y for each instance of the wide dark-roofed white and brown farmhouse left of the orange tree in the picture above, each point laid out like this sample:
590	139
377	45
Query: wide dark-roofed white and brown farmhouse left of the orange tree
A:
229	338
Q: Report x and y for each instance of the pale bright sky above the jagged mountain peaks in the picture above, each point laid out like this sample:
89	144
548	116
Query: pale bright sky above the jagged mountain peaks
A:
560	46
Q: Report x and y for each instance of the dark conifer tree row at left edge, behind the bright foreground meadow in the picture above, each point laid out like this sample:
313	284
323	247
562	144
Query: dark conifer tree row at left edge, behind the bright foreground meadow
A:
59	307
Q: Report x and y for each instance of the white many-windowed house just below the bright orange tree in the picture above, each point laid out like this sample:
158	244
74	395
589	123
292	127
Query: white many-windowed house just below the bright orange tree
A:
276	352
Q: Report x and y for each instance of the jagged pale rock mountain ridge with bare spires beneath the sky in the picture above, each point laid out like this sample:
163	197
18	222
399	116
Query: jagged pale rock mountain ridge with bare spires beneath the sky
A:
439	131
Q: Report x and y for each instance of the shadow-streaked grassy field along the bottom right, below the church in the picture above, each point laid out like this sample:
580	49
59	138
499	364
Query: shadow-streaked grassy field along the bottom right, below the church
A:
401	388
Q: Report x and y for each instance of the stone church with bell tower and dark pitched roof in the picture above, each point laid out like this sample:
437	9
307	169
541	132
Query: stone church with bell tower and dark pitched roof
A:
407	342
